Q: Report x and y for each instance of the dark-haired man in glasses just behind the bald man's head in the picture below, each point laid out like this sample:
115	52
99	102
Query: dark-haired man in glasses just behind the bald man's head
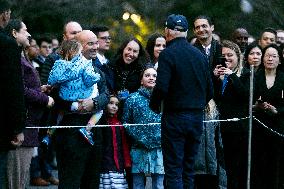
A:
104	40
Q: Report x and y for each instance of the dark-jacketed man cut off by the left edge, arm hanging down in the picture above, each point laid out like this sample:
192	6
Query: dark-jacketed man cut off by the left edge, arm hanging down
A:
12	92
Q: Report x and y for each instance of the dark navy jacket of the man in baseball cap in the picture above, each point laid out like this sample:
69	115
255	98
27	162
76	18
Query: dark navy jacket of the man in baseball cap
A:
183	80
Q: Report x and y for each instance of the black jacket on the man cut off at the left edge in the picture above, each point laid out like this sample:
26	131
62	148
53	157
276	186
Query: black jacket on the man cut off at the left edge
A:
12	91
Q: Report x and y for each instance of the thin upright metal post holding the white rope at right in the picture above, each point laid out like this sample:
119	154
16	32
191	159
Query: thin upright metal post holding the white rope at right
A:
250	124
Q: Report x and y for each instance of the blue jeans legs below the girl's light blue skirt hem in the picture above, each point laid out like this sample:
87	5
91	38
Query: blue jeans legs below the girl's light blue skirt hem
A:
139	181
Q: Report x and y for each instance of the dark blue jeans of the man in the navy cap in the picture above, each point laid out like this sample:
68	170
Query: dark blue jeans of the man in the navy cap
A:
180	141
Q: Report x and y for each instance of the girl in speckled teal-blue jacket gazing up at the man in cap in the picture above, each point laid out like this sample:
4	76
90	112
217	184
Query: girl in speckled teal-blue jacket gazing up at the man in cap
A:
146	151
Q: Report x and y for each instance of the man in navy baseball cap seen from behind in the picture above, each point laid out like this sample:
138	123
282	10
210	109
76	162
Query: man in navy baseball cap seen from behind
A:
183	88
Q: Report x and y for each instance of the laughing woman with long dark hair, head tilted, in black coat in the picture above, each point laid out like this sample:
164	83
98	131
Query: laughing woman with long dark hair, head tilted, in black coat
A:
123	71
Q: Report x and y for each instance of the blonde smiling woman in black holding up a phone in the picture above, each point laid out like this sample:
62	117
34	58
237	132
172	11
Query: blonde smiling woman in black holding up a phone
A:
231	97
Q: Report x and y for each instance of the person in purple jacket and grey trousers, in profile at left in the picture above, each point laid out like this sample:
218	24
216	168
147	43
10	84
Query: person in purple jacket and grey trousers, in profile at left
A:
35	101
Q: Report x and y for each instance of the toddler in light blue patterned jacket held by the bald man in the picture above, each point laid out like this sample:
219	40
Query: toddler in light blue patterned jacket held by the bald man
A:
77	79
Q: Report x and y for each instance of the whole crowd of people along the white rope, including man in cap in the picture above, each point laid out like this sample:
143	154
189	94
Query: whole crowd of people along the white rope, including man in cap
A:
145	112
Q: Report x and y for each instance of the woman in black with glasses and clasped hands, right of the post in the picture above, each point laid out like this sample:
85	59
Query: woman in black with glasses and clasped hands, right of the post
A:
269	109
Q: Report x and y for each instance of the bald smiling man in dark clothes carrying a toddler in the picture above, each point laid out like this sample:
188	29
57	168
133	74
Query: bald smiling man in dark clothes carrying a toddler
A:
81	168
